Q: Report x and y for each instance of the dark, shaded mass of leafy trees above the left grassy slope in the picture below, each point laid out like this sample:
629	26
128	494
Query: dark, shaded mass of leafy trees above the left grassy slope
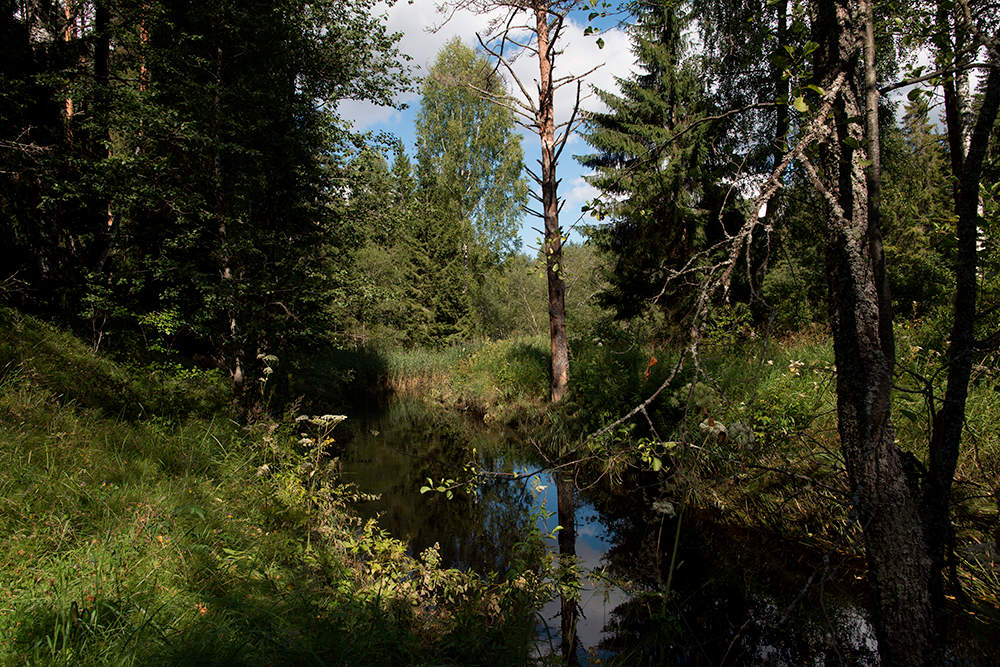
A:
182	207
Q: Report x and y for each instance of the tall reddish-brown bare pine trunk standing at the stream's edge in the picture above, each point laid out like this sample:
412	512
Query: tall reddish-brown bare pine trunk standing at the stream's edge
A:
550	208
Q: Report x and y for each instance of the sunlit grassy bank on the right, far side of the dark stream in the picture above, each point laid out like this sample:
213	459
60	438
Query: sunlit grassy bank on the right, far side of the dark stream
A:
759	420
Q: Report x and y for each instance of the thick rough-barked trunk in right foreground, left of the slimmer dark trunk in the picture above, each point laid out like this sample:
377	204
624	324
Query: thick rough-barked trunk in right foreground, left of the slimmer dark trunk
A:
886	507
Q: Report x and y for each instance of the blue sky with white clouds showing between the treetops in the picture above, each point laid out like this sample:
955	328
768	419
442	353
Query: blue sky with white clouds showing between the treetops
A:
581	53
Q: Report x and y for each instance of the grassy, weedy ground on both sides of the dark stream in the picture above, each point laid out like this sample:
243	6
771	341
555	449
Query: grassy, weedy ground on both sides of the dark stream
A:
141	524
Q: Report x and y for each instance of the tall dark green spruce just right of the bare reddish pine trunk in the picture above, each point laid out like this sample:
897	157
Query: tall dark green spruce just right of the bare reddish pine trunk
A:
653	178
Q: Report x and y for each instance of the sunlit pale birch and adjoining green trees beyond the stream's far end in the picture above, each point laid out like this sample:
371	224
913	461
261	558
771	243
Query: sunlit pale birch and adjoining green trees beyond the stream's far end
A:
425	269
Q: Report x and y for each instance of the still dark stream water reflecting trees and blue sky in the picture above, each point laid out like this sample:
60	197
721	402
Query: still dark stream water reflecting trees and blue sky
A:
735	598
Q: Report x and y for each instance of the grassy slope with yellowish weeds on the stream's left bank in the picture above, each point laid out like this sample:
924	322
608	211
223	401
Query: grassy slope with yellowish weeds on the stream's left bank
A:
140	525
